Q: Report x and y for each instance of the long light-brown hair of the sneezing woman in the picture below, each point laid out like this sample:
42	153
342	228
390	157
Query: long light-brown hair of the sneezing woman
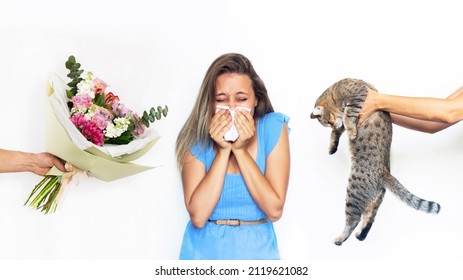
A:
195	129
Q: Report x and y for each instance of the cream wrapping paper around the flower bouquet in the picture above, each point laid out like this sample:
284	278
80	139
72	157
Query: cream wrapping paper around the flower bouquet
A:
64	140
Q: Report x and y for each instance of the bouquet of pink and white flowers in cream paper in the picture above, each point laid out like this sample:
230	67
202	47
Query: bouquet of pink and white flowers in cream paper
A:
93	131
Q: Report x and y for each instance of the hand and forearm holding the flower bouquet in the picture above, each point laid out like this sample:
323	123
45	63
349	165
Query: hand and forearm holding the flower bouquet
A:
38	163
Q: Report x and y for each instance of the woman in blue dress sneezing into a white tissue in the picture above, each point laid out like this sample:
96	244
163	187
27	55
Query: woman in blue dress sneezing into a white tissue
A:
233	190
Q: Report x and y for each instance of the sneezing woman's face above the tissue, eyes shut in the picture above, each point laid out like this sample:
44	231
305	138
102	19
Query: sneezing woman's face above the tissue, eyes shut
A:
233	89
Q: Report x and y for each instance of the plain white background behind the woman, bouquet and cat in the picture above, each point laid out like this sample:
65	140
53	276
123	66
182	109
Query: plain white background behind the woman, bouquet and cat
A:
156	54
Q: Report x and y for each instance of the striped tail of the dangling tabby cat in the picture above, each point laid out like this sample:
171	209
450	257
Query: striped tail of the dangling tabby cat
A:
392	184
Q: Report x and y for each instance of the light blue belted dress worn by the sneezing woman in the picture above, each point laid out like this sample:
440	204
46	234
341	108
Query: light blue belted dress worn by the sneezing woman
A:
222	242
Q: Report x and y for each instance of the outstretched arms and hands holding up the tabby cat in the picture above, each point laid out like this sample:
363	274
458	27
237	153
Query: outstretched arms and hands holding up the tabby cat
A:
419	113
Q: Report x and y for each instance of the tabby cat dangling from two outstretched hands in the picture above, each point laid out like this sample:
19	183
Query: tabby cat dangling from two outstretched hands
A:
338	107
